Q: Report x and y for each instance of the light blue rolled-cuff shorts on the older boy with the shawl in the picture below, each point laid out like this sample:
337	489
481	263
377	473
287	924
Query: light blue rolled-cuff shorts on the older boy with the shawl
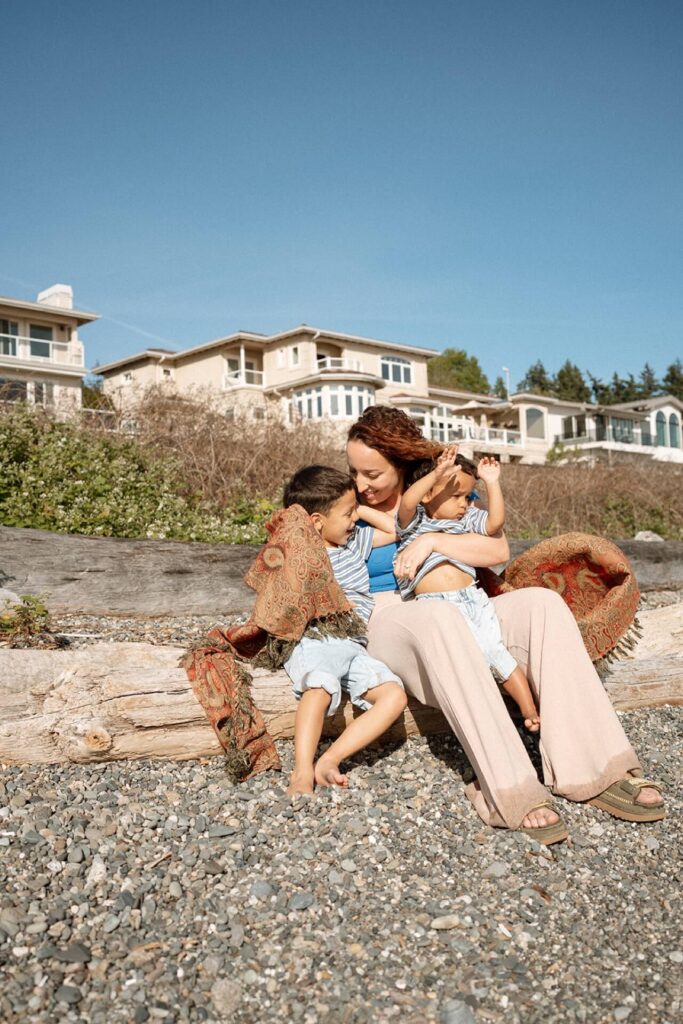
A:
334	665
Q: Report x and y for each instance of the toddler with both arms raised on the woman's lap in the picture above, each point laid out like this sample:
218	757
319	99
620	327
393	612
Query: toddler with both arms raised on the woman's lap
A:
440	502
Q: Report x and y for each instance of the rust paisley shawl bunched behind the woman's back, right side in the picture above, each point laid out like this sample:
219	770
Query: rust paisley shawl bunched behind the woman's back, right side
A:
595	579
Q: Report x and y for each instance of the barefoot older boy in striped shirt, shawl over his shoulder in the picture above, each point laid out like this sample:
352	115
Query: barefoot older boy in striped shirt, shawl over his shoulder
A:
320	668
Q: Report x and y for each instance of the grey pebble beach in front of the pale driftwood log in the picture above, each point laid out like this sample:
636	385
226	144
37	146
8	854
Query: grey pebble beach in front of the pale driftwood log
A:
156	891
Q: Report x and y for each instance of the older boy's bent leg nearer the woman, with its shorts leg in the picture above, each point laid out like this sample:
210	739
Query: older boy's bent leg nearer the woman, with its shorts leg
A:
386	701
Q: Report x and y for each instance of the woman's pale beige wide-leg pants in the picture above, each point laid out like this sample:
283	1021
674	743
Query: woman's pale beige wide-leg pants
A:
583	746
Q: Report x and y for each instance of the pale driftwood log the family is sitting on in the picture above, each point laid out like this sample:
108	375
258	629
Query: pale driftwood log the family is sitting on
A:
126	701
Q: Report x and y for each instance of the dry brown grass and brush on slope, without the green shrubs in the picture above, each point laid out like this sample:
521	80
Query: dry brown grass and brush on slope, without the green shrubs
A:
229	461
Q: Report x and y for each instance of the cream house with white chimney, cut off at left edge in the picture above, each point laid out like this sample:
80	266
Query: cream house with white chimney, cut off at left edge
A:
41	355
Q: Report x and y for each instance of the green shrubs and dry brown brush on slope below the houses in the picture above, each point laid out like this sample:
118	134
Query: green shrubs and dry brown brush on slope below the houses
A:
189	474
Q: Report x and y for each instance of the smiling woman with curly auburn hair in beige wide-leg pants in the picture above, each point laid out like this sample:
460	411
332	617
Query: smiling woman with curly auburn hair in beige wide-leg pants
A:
585	752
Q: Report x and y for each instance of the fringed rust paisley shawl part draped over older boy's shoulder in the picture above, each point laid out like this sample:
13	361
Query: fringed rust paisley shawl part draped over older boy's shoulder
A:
294	584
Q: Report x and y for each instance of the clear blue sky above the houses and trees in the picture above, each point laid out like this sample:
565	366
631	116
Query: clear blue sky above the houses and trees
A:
504	177
